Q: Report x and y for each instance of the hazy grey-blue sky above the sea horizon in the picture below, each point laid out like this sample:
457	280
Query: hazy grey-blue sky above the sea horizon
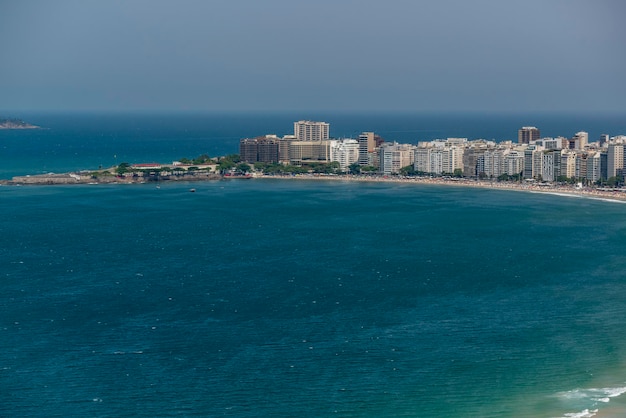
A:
205	55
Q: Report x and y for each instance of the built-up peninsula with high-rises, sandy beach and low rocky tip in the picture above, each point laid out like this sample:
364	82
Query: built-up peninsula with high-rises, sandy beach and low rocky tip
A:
564	166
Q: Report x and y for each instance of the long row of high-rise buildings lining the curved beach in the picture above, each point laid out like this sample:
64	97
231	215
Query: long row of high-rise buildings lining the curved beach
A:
547	159
